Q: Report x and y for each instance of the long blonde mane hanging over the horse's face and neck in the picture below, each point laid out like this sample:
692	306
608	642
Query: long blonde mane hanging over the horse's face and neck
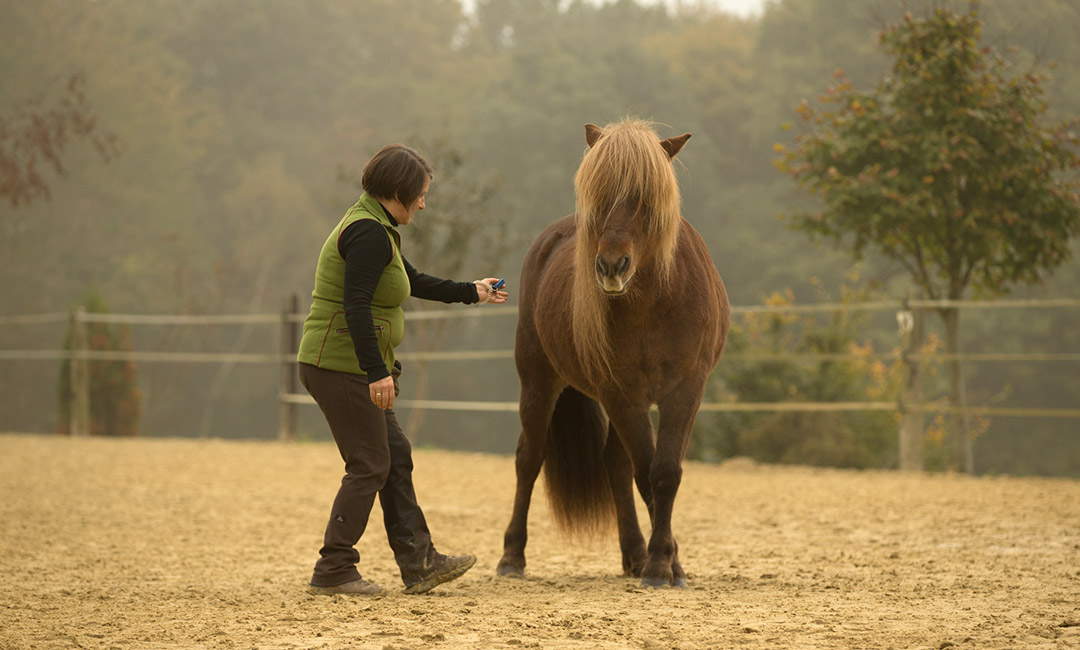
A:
626	167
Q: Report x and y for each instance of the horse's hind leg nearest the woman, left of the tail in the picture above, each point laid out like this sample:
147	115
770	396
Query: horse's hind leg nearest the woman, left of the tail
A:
537	405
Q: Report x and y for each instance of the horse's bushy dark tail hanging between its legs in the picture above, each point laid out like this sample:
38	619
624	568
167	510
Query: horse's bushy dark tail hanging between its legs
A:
574	467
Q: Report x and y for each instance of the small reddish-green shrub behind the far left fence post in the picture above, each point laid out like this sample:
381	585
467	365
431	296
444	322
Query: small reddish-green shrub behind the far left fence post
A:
115	399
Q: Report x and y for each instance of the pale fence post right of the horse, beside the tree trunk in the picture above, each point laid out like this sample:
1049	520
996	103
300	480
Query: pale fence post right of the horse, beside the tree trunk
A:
911	389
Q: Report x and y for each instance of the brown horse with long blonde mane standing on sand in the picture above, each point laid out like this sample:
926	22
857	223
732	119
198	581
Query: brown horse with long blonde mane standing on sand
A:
623	308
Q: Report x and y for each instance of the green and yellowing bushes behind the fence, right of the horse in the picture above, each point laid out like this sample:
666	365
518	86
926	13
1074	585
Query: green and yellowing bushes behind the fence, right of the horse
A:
761	364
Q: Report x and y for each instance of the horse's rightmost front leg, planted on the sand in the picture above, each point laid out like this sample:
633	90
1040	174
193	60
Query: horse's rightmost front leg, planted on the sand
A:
677	422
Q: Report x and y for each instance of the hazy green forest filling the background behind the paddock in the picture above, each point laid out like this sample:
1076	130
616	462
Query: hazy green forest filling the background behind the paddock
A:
236	117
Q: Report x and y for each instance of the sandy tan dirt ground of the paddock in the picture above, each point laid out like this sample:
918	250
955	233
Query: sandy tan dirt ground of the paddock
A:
182	544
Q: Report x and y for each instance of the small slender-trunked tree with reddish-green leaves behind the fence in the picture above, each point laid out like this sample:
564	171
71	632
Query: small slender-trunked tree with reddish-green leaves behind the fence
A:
947	168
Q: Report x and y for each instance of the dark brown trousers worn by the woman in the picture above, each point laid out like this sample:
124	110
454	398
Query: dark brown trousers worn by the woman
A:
379	461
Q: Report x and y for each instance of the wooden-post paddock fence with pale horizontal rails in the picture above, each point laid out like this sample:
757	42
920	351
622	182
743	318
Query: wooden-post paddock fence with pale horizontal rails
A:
910	315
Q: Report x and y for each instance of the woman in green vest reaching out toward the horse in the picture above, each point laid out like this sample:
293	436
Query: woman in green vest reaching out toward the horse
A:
347	364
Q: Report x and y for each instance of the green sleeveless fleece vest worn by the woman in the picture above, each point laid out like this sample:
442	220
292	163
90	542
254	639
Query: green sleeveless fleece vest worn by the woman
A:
327	343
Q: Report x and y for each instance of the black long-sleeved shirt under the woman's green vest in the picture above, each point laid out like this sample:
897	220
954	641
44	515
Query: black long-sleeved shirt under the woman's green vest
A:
367	251
